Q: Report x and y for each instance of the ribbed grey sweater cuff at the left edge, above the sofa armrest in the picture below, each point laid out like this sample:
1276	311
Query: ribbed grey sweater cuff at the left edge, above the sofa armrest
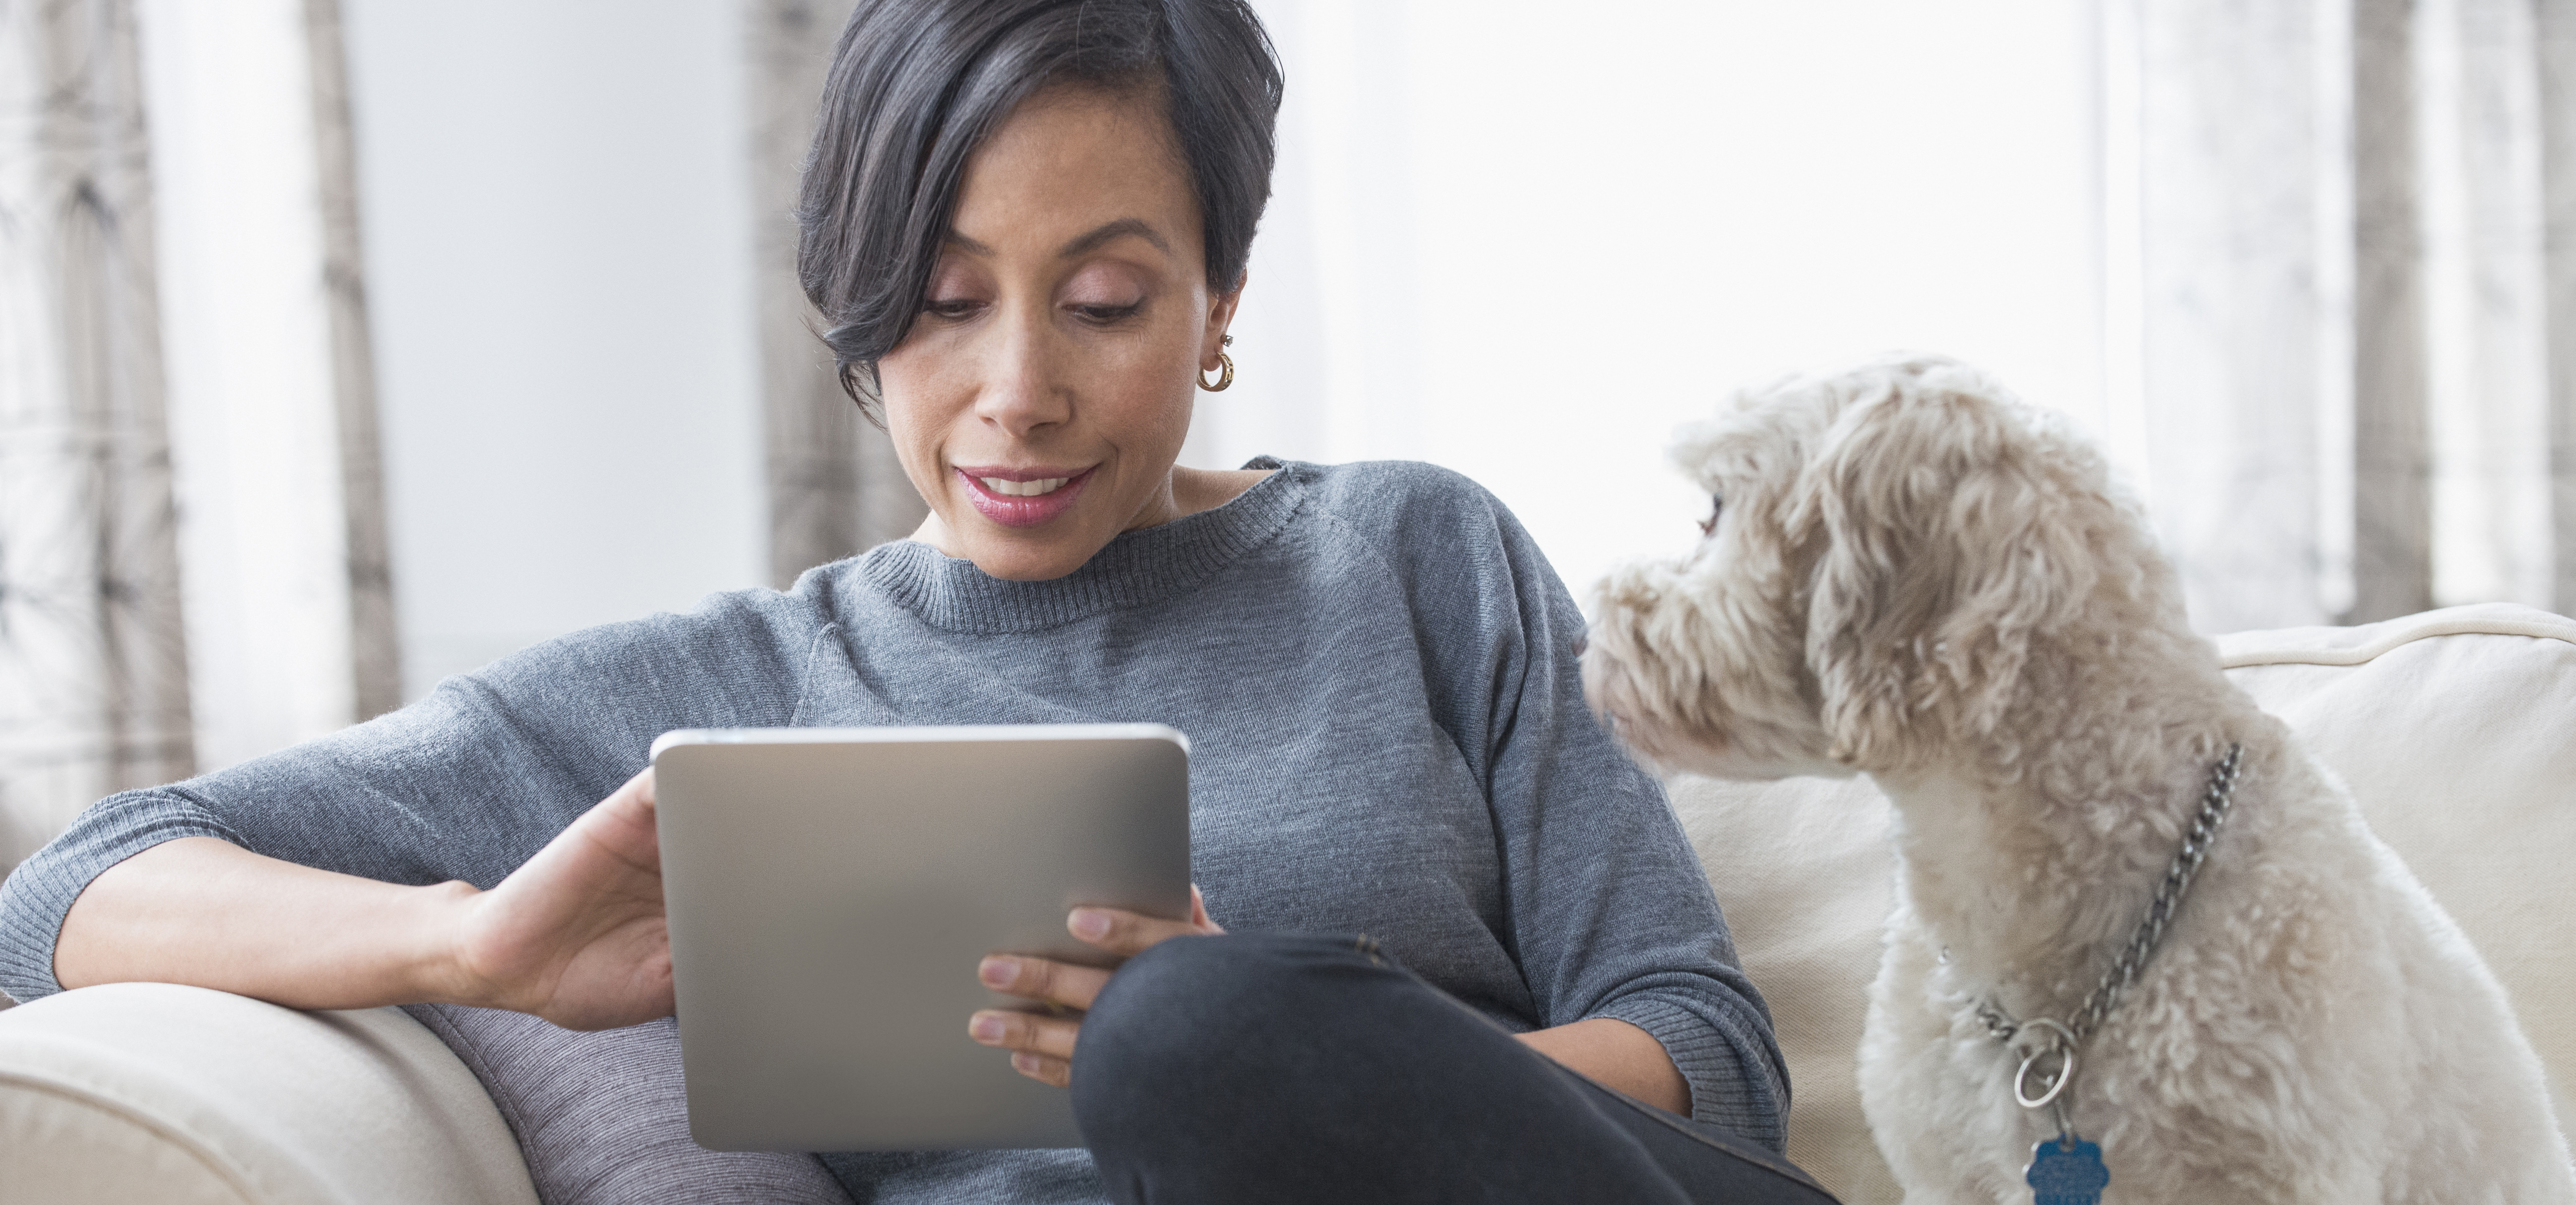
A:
43	890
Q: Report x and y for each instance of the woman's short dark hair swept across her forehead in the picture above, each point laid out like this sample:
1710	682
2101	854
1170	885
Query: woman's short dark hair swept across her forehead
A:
916	86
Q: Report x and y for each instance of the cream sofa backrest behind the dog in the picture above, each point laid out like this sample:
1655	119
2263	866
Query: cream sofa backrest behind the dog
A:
2456	733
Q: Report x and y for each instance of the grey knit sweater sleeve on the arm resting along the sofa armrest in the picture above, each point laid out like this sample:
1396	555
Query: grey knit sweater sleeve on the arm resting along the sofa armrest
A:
460	787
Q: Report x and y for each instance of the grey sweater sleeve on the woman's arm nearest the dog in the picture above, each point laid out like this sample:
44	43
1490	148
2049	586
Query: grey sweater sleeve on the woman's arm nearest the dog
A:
1611	913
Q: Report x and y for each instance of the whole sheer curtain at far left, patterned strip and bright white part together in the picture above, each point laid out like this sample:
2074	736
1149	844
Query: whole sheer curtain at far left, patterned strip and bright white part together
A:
192	519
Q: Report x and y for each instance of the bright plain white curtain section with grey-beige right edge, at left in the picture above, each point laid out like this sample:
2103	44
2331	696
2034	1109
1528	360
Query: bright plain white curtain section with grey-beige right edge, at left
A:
272	400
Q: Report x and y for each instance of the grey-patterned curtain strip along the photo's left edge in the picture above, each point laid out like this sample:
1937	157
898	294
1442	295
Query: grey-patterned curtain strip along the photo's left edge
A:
94	691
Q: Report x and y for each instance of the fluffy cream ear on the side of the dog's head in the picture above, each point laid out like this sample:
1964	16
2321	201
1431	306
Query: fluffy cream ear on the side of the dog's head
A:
1949	534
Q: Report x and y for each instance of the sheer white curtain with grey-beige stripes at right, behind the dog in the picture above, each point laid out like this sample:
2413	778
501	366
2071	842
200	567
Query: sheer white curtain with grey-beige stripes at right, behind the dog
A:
2333	254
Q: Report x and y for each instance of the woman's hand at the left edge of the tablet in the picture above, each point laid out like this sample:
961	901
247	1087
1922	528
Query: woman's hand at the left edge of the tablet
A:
578	933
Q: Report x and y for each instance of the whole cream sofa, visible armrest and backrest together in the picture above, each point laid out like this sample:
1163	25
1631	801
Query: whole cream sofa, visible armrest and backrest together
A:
2454	727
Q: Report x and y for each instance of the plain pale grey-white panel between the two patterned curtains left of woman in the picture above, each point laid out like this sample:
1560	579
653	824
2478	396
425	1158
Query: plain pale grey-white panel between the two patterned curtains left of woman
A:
558	251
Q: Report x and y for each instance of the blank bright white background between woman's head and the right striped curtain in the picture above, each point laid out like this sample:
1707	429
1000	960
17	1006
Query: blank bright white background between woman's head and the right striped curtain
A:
1526	241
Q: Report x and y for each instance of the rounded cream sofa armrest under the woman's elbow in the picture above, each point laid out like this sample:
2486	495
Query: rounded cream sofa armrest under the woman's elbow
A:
182	1096
